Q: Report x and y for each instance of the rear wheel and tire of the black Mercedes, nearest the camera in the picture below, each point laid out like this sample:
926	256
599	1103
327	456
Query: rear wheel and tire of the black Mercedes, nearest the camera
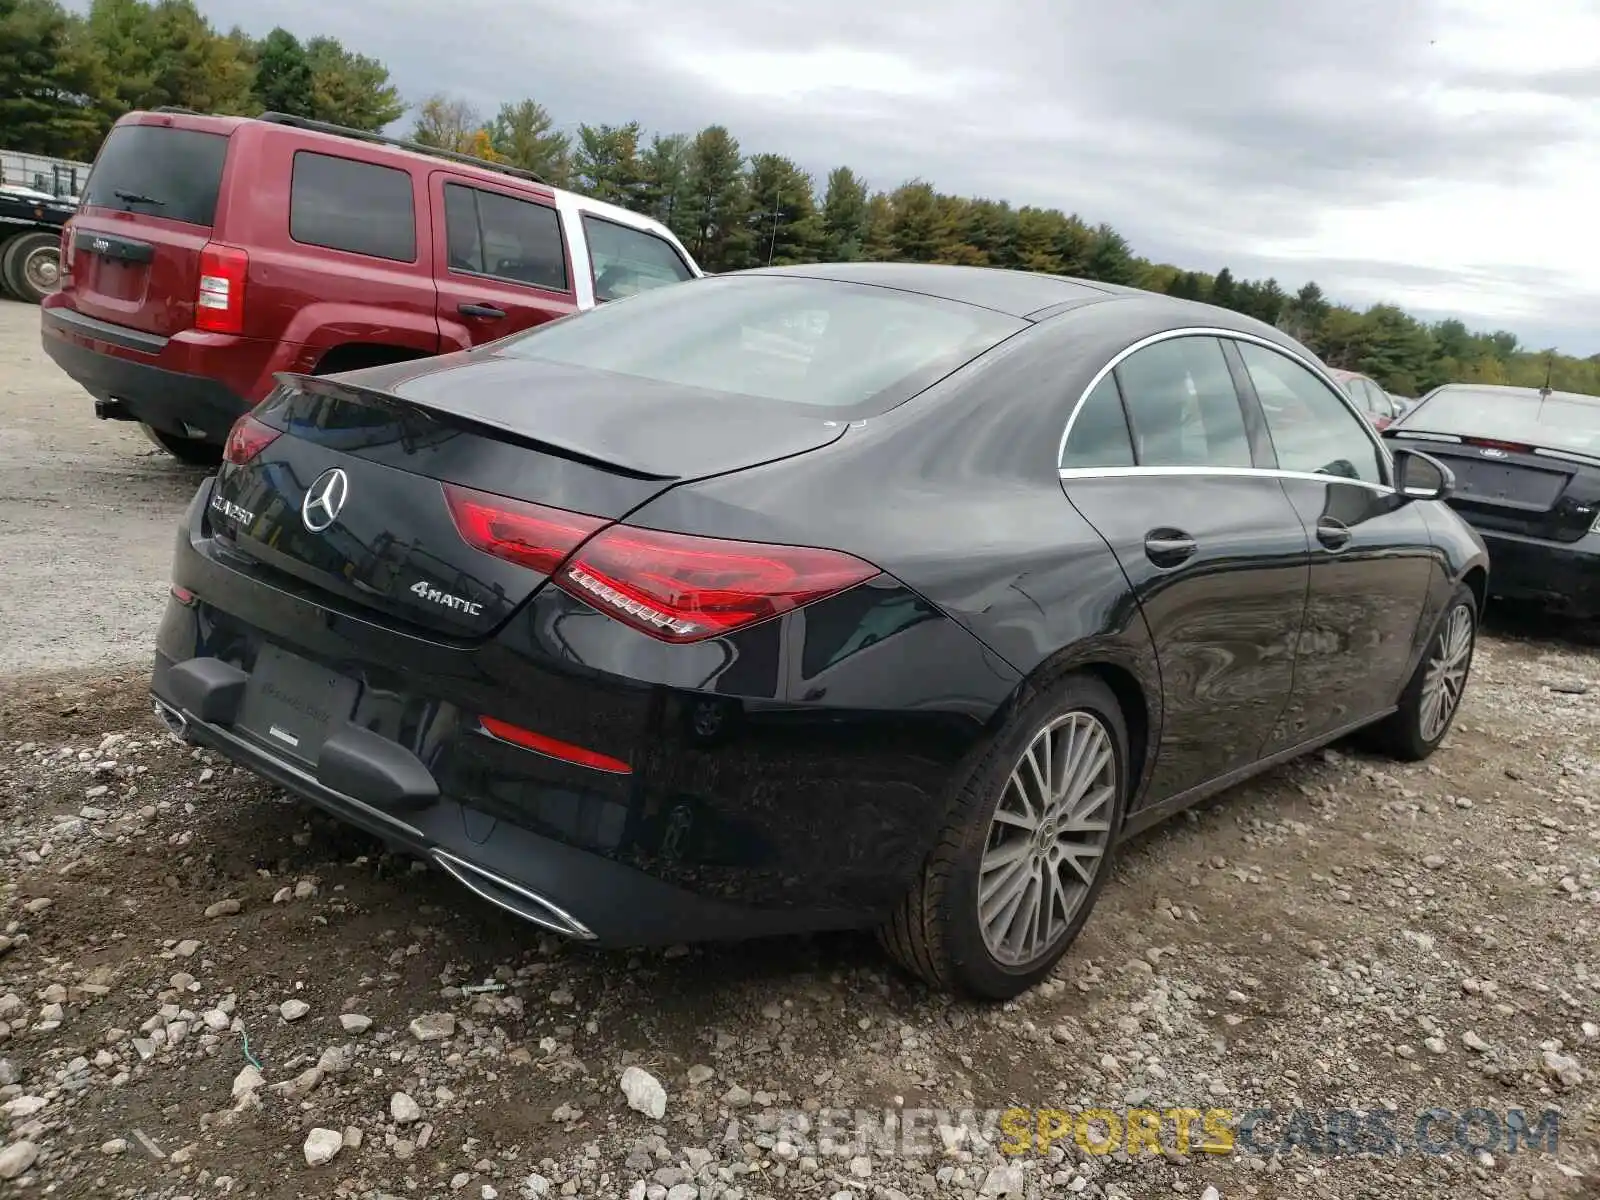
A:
937	932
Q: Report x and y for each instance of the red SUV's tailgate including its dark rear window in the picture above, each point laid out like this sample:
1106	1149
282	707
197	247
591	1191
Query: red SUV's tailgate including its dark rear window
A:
146	215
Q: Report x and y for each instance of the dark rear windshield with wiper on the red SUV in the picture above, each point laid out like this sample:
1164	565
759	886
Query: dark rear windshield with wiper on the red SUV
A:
159	172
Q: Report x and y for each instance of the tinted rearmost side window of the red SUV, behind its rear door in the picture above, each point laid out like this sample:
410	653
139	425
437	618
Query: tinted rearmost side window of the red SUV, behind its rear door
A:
350	206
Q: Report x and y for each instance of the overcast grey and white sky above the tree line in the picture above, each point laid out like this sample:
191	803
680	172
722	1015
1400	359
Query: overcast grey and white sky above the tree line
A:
1441	154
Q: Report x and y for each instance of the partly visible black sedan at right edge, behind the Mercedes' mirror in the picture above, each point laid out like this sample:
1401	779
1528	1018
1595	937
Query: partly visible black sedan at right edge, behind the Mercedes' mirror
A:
1527	468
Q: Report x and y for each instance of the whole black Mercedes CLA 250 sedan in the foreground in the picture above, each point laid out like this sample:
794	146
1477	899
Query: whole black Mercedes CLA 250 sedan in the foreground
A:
817	598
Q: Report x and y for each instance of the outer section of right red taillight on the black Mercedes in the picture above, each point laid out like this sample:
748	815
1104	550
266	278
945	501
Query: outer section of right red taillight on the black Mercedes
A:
679	588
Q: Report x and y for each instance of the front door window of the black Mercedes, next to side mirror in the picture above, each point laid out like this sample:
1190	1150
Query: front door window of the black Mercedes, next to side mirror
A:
1311	430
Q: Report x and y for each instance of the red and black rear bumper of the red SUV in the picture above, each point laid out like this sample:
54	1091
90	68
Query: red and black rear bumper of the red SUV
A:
193	382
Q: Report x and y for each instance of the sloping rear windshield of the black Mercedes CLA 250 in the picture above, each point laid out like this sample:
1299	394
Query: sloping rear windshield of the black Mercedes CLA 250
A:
806	342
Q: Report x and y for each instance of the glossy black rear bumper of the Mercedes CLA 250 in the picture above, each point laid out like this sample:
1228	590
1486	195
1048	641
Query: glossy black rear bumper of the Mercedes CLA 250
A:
748	807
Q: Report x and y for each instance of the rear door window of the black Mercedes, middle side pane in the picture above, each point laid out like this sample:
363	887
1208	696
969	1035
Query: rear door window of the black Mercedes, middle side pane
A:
1183	406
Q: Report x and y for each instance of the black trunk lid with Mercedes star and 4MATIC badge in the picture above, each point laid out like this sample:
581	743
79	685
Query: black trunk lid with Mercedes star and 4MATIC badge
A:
407	436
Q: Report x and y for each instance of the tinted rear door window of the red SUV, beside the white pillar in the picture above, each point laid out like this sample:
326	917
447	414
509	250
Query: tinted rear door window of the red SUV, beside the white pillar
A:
503	238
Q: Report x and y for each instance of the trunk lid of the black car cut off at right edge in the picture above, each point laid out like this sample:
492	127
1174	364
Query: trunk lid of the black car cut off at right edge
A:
1514	489
